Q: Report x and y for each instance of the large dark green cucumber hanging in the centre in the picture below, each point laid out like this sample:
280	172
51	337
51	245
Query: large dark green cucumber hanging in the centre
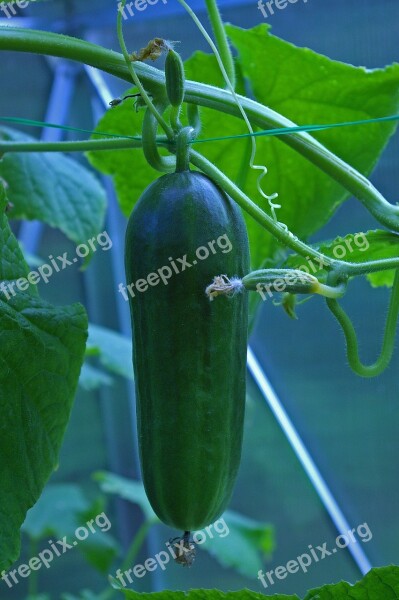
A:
189	354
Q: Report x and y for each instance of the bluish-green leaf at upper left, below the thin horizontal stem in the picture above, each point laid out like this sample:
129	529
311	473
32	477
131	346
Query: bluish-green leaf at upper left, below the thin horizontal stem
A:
54	189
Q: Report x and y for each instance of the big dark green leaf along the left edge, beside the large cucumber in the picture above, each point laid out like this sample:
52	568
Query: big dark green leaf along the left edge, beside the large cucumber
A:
42	350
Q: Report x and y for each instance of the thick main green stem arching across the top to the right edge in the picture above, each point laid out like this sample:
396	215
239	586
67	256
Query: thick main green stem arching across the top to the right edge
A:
52	44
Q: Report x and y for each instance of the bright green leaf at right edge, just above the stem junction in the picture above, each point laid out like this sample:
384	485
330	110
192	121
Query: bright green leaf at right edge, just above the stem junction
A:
359	247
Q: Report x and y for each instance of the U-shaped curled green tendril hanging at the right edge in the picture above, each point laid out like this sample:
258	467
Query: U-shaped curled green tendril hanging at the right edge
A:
352	348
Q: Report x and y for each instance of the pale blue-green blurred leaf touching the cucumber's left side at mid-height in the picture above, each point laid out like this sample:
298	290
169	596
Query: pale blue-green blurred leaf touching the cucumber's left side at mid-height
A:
114	350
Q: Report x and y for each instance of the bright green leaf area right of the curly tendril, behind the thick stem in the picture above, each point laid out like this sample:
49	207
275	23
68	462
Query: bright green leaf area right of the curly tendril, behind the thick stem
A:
309	88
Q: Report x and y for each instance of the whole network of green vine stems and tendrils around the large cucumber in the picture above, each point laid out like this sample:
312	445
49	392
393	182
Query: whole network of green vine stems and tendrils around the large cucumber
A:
152	90
